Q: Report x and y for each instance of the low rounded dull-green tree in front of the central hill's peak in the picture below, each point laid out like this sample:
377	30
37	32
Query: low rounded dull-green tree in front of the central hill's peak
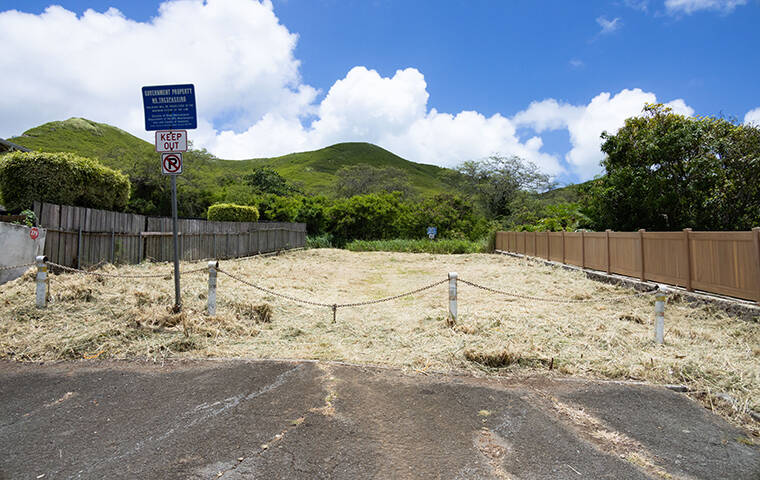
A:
363	179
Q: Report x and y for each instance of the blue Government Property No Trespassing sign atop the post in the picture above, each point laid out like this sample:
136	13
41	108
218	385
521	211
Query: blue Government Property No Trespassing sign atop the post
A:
170	107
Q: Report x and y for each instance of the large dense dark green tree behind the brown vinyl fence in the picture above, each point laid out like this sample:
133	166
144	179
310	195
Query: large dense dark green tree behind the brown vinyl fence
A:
667	171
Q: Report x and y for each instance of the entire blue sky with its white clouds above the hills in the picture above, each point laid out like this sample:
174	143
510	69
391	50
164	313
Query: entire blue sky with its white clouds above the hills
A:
434	81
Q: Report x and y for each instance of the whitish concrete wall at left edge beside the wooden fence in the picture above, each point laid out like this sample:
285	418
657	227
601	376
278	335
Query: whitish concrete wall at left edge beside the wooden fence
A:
18	248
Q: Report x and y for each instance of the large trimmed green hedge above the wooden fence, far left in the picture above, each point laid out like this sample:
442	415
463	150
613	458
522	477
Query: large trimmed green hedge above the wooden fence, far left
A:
62	178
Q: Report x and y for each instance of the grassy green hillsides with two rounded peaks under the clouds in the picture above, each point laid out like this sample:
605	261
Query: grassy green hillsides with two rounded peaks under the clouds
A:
315	171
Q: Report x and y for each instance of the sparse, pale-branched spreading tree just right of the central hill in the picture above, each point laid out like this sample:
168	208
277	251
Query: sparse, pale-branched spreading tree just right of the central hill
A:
497	180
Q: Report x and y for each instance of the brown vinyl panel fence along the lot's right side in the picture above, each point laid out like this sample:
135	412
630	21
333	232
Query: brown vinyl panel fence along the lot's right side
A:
727	263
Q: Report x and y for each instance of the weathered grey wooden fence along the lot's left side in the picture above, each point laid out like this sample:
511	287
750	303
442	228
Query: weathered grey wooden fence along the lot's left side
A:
78	237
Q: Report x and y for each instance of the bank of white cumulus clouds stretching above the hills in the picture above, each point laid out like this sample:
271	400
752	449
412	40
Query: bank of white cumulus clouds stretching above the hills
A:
251	99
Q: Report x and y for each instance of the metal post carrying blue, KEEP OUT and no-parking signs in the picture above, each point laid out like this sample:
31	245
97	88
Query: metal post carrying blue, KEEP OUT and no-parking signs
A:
170	109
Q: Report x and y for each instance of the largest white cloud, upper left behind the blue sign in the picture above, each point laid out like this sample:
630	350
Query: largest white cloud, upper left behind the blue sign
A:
56	64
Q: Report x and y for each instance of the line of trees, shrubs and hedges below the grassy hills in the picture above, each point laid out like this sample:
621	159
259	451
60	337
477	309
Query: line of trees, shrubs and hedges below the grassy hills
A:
663	171
